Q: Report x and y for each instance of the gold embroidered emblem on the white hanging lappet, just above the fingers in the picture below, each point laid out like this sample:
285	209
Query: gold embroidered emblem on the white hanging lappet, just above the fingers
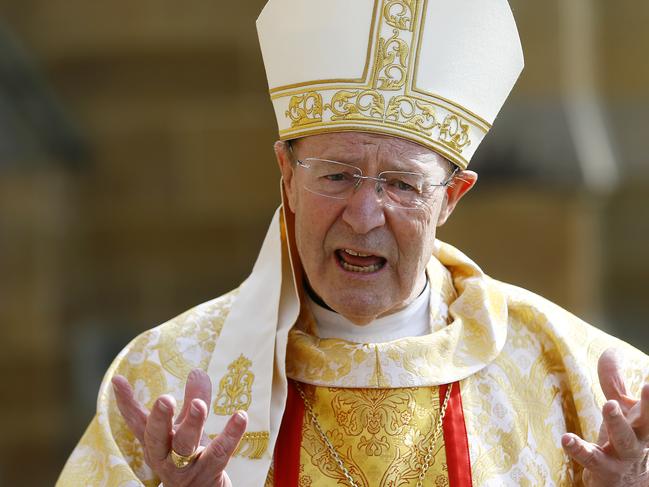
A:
235	388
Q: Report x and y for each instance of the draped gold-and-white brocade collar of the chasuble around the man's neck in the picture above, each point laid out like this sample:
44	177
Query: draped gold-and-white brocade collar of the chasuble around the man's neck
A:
471	335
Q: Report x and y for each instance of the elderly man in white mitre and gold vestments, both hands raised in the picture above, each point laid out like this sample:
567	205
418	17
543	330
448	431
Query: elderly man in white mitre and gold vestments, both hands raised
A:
361	351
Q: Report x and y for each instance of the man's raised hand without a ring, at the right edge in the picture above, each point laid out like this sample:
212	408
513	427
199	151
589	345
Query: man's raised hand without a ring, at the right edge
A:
621	455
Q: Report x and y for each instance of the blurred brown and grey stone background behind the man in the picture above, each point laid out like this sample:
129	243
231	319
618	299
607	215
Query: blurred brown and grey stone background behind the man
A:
137	179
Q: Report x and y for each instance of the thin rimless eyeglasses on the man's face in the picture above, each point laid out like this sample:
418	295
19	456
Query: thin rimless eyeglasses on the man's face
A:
398	189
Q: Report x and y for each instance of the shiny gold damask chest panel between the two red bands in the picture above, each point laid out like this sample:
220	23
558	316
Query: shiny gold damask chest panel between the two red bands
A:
382	436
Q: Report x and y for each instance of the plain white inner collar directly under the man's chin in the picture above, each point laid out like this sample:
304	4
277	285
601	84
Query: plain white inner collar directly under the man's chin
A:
411	321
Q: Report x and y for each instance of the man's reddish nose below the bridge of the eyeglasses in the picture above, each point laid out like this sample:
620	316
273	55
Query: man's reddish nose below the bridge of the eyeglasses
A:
364	210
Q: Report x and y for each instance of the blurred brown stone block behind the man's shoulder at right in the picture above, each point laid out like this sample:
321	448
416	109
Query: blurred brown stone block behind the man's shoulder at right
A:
546	241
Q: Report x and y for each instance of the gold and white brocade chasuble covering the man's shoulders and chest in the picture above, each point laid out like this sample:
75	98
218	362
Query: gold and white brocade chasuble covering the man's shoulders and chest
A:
525	371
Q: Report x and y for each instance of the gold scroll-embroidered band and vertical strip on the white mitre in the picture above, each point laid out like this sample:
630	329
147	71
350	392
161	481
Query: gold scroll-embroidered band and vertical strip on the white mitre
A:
372	101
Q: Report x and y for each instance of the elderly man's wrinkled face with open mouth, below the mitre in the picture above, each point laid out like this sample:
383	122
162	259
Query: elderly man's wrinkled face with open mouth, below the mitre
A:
362	257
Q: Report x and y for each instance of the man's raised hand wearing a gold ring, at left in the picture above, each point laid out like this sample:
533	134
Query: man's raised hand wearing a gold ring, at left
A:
159	434
